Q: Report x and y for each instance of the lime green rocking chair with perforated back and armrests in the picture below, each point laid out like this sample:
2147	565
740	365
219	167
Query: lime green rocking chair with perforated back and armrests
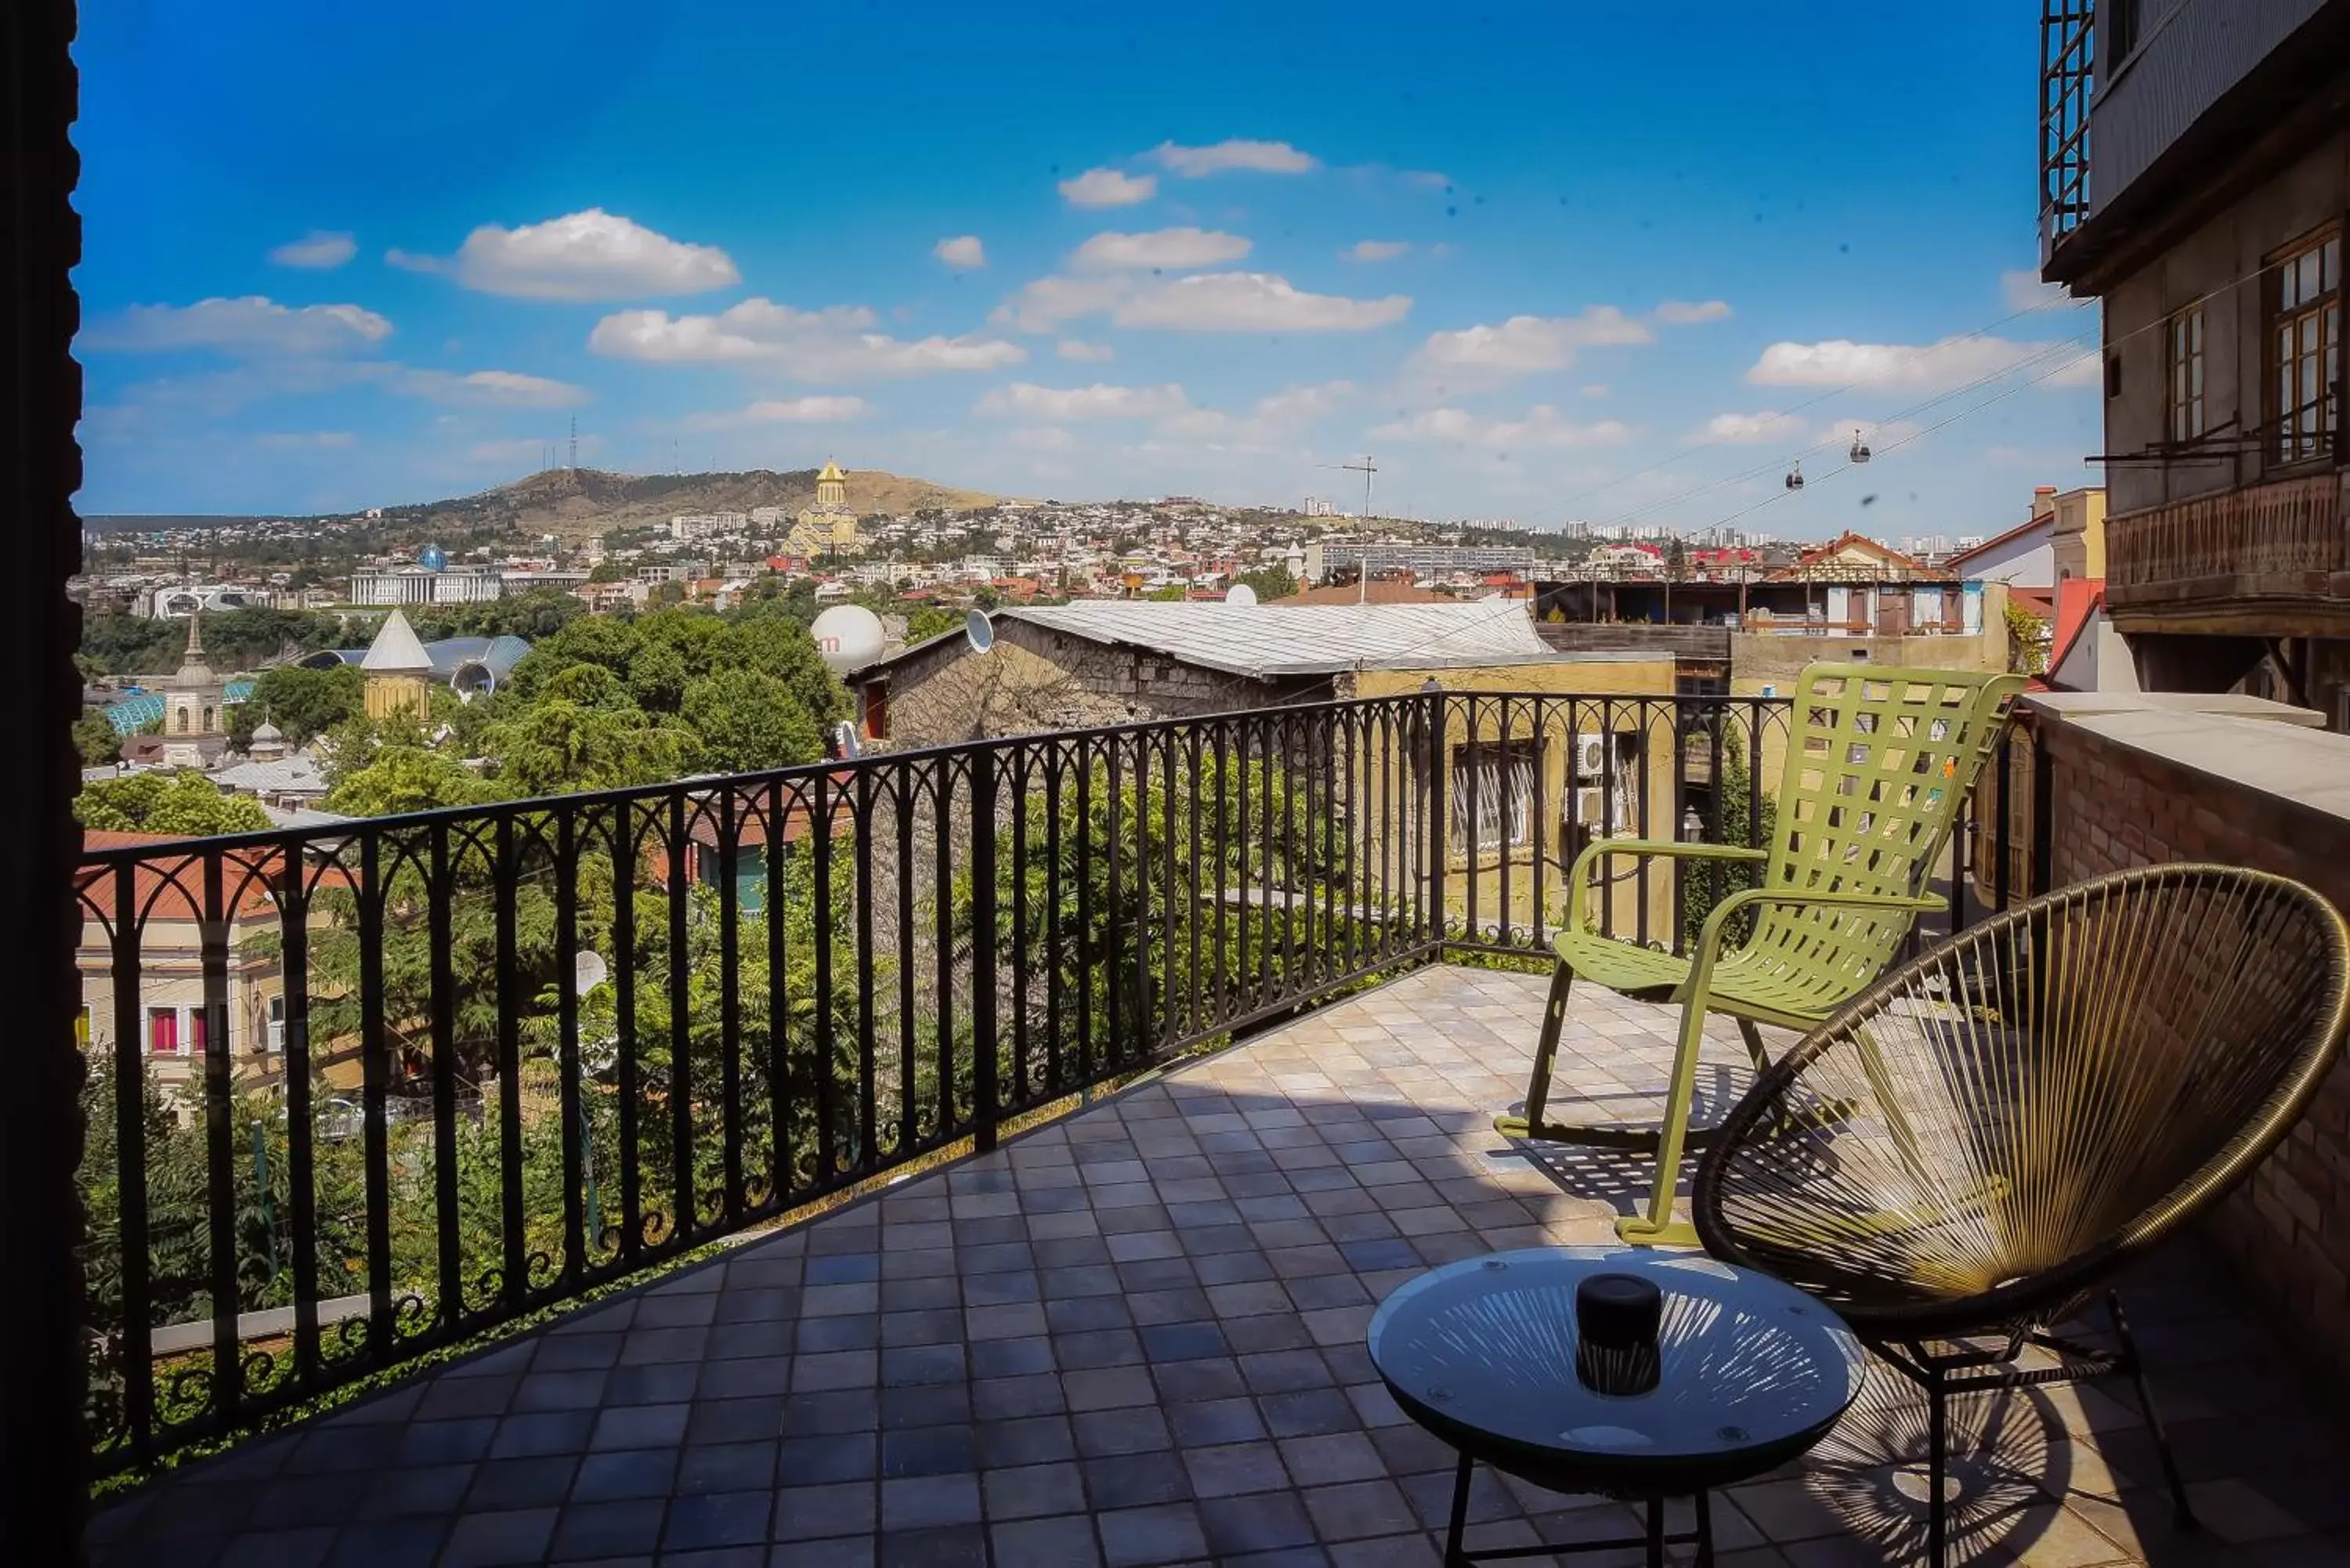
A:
1876	768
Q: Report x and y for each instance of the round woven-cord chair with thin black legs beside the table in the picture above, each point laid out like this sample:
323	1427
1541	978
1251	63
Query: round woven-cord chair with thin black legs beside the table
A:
2027	1108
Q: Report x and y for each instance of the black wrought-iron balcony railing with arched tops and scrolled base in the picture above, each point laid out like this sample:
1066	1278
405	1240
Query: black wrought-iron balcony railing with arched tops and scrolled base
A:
377	1087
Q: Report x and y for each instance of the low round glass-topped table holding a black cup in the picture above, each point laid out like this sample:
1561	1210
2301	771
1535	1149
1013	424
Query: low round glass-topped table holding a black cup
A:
1743	1374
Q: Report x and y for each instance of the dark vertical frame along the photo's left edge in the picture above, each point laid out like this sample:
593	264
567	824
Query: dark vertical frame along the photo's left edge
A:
41	1374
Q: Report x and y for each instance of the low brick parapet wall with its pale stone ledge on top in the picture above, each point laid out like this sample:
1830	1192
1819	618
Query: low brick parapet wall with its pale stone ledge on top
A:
2137	782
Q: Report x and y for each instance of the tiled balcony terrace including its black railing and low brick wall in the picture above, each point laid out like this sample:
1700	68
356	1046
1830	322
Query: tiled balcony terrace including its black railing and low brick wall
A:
993	1155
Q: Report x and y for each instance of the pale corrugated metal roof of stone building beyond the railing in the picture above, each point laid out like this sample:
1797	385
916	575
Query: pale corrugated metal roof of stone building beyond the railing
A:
1308	638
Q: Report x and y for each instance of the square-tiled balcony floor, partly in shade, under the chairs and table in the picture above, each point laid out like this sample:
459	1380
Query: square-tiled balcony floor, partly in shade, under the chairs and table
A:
1136	1336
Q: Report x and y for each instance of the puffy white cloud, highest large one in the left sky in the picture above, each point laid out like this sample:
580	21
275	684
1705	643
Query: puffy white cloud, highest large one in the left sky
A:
584	257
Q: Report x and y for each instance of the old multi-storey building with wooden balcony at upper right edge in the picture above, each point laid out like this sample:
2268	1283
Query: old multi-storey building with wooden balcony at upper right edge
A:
2196	177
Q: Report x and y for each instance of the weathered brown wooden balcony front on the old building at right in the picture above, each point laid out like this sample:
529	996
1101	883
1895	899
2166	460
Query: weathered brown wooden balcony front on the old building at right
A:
2267	561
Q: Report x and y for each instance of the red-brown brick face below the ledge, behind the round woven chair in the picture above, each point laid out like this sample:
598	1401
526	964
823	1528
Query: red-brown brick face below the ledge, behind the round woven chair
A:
2116	805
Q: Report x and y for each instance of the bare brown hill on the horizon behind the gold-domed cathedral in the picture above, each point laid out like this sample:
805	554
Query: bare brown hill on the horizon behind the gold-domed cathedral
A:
582	502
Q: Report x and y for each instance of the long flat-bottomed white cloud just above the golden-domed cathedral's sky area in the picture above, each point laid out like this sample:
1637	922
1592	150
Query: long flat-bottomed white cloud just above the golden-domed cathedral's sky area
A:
831	344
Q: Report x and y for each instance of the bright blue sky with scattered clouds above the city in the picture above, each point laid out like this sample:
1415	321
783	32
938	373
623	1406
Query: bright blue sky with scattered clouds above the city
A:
1543	262
